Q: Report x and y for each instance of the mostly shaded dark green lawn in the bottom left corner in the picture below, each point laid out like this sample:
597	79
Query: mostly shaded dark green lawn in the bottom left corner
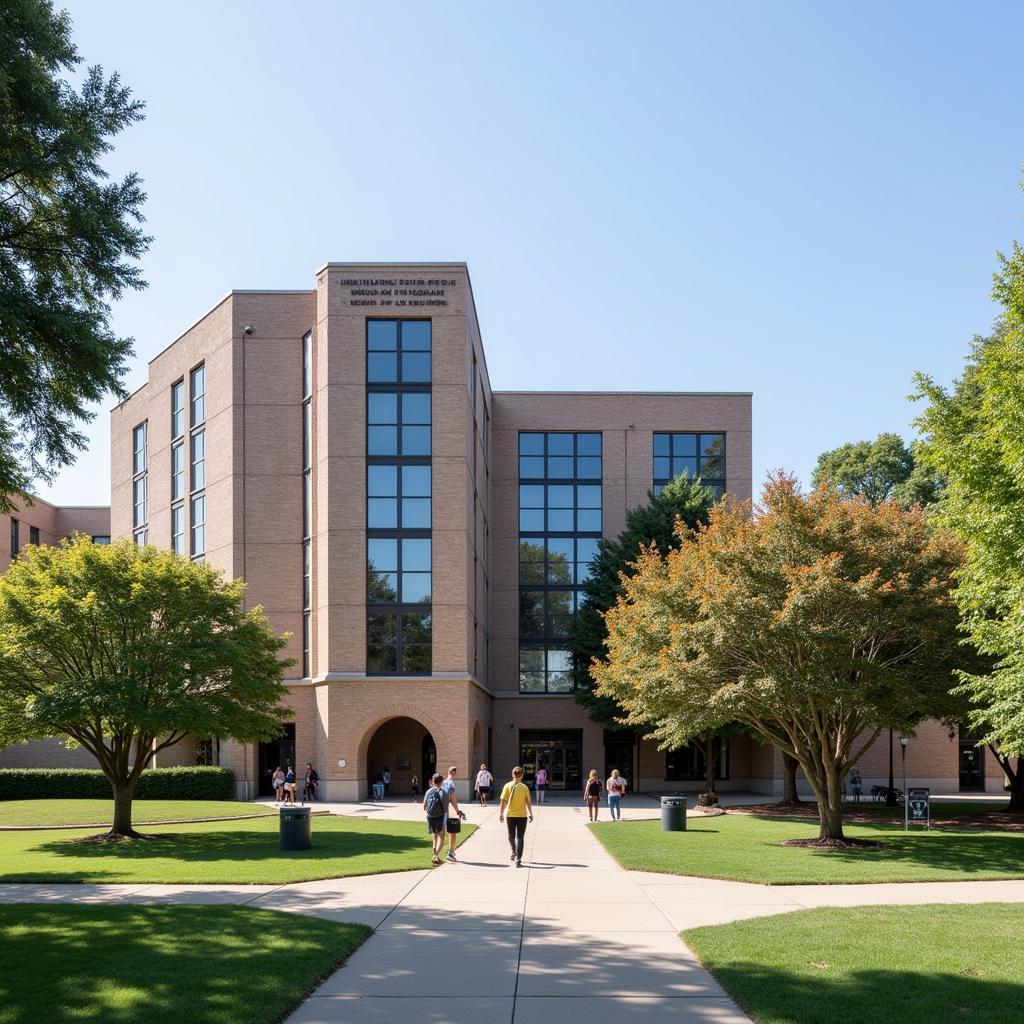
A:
163	965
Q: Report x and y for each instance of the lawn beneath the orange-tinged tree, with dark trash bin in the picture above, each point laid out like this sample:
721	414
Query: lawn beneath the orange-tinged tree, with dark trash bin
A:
748	849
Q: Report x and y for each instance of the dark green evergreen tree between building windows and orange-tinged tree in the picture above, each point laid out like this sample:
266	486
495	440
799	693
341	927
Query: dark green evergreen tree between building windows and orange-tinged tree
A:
685	500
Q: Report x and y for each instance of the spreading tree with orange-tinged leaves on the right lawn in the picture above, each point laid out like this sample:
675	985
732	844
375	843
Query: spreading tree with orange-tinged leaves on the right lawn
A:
815	621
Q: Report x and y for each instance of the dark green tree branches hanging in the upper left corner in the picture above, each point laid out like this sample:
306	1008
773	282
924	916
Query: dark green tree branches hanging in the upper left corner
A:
68	236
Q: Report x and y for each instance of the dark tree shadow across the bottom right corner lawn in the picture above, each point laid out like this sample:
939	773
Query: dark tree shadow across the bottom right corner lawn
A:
897	997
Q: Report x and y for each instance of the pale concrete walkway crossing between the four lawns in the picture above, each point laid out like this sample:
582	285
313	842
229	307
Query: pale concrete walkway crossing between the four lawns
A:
571	936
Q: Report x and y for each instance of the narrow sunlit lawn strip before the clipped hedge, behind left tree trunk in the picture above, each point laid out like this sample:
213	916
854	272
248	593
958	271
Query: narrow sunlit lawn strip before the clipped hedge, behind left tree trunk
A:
101	813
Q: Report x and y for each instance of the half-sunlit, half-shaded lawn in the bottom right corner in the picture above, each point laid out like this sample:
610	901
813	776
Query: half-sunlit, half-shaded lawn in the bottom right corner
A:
887	965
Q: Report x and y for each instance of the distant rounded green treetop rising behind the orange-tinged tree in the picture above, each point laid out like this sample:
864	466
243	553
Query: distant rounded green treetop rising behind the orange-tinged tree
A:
882	471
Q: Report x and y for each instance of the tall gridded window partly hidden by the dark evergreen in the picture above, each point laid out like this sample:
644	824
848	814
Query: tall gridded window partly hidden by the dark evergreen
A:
560	528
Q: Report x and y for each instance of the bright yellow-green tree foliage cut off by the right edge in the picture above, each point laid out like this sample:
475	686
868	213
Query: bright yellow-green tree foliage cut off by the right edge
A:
974	436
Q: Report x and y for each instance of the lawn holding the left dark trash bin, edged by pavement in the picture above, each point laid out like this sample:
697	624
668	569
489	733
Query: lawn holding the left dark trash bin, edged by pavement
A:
241	852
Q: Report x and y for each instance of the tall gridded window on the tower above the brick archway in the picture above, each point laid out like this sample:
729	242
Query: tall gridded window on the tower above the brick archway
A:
399	497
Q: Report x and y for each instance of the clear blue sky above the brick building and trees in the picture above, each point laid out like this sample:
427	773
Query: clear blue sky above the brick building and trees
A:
800	200
